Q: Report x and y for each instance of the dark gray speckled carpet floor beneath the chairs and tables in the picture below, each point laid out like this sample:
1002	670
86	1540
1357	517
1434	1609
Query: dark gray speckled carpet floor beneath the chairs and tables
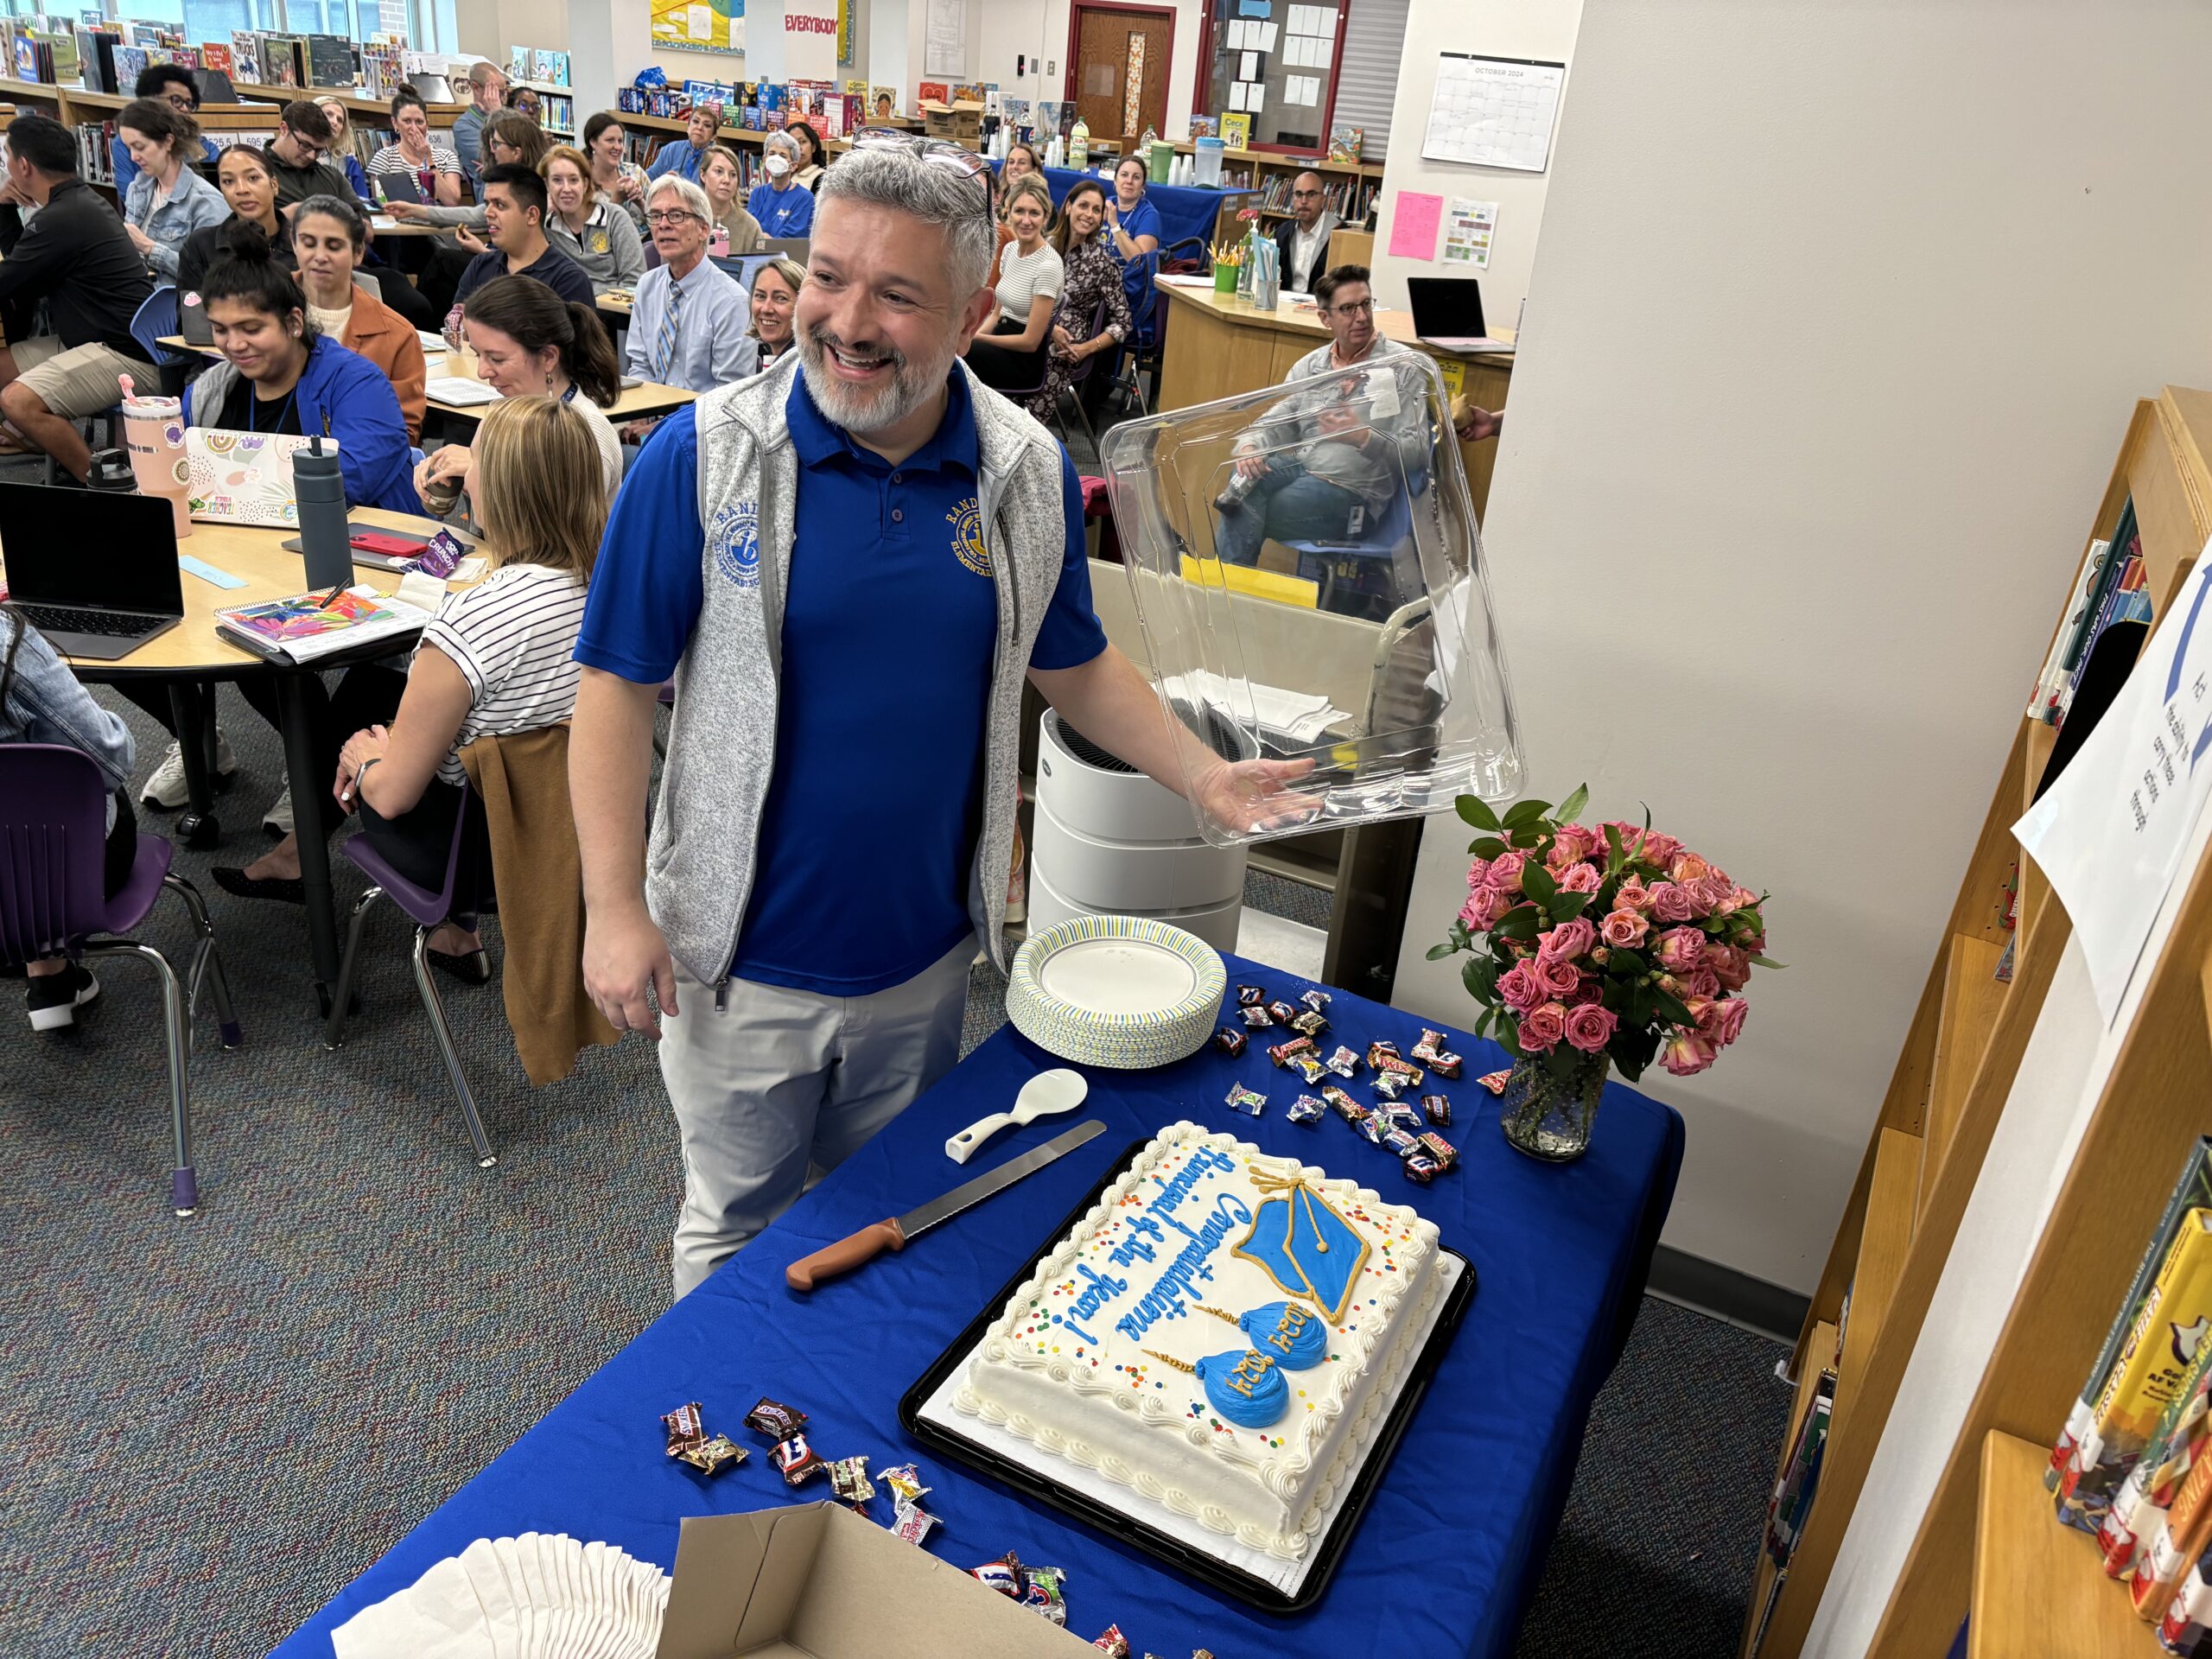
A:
207	1428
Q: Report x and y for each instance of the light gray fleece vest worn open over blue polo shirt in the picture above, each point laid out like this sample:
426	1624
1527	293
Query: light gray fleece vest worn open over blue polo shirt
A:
722	747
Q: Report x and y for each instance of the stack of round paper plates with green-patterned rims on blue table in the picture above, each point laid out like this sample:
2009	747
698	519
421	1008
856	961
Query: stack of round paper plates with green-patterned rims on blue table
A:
1116	992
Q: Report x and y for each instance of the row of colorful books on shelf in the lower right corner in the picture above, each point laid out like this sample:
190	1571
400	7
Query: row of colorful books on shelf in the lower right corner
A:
2133	1465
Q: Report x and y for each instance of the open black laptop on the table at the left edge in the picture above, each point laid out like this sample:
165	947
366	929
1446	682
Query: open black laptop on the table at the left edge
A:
92	607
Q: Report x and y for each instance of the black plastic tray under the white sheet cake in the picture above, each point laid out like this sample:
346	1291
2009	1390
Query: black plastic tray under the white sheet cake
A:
1123	1525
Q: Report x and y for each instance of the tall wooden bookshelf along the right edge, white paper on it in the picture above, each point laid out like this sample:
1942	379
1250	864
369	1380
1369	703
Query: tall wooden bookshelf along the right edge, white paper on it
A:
1990	1541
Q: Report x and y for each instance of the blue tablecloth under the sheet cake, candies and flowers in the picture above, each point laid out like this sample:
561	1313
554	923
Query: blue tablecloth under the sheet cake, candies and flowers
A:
1454	1541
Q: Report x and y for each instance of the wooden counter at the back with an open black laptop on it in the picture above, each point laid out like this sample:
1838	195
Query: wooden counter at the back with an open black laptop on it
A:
1220	346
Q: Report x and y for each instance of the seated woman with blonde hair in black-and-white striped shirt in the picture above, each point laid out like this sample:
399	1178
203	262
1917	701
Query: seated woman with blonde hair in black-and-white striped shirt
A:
497	660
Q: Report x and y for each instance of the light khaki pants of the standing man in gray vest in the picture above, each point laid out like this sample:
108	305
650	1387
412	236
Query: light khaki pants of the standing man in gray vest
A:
780	1087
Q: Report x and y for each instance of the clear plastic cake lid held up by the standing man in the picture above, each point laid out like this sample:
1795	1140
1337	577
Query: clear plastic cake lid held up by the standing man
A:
1308	576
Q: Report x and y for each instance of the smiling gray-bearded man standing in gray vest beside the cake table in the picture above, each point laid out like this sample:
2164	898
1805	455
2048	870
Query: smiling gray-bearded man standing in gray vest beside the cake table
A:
851	565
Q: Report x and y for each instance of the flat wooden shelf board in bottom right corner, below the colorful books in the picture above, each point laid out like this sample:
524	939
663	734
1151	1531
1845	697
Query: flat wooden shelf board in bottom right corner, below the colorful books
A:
2036	1578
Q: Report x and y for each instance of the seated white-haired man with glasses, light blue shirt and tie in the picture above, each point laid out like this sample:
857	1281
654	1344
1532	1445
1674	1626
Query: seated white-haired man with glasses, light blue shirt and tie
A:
687	317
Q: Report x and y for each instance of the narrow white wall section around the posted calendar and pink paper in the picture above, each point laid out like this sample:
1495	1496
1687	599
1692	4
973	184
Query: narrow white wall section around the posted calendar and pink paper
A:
1501	30
